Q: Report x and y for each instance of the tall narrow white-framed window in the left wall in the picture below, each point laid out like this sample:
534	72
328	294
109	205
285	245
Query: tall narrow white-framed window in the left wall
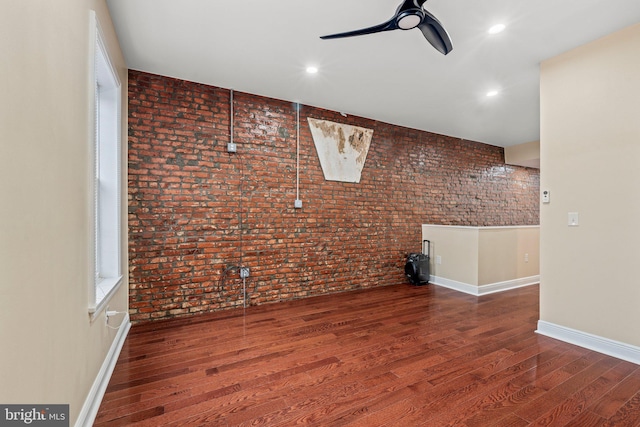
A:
106	91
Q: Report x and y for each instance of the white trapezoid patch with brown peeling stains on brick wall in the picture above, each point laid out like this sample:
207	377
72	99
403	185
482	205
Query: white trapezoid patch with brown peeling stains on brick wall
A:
342	149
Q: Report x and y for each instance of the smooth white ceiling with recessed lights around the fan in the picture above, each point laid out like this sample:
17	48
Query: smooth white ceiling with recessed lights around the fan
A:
263	47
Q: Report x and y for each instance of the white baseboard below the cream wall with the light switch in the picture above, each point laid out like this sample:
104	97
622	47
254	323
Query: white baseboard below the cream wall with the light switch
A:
602	345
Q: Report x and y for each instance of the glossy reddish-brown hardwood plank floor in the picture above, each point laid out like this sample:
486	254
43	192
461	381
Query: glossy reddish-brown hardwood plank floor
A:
392	356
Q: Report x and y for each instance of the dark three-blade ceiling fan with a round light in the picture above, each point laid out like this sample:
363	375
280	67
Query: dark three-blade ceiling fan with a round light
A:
410	14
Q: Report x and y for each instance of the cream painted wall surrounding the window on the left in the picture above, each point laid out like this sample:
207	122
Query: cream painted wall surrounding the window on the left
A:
51	351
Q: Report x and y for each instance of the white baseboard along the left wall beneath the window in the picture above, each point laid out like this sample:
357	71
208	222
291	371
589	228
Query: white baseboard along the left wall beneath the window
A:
94	398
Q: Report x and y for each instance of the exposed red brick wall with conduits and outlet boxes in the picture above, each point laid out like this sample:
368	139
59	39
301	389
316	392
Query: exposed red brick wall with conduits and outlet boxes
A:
197	212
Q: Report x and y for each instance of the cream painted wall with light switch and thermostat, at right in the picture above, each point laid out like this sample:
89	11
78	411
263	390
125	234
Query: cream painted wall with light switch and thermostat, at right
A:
590	161
